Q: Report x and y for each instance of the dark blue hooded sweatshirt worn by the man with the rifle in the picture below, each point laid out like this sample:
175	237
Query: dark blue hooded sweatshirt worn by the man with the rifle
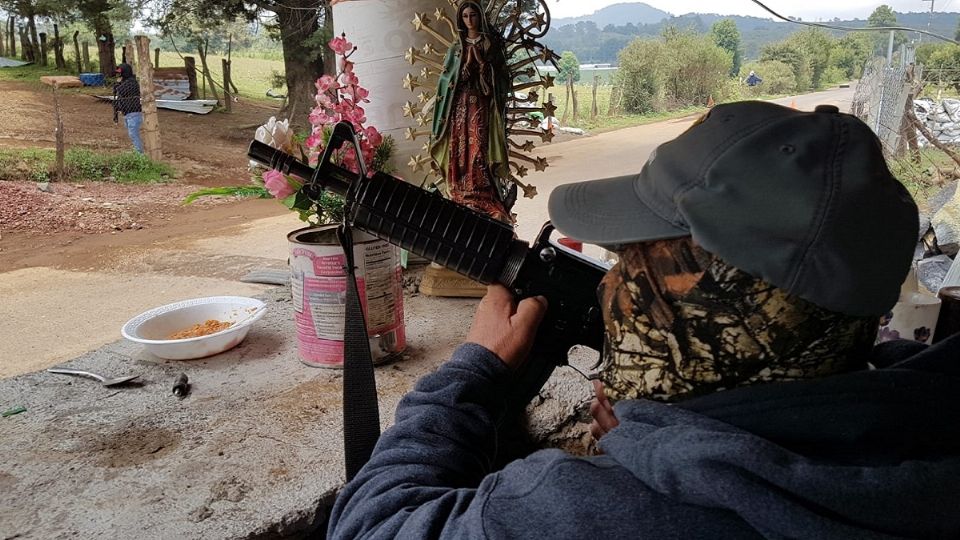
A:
867	455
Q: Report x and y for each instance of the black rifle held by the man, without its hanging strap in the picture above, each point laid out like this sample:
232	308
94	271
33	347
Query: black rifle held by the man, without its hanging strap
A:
467	242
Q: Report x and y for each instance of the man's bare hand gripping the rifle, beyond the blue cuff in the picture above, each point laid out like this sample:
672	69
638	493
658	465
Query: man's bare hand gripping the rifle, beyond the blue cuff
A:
505	328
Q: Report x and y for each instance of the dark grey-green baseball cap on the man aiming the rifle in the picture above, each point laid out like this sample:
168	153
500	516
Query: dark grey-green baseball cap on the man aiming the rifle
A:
802	200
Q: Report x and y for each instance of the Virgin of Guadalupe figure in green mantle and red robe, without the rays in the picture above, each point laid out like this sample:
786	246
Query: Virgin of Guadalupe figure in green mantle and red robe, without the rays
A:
469	138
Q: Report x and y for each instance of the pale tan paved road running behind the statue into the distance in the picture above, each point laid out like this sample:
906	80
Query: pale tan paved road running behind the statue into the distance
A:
55	315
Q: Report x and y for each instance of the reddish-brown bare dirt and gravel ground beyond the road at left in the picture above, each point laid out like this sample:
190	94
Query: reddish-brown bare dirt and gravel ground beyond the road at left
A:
39	226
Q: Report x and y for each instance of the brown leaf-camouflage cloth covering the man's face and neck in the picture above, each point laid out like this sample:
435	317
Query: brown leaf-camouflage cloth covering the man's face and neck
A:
680	323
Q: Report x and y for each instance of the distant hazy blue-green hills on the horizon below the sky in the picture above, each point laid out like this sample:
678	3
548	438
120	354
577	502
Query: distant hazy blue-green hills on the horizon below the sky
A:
596	40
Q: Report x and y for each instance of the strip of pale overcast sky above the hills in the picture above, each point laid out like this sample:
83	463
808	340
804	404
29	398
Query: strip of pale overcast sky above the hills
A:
808	10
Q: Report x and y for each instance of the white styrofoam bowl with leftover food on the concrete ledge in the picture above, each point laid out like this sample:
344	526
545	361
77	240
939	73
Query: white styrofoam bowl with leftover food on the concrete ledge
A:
153	327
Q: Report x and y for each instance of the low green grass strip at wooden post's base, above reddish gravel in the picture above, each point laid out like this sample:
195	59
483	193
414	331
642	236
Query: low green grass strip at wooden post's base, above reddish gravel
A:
82	165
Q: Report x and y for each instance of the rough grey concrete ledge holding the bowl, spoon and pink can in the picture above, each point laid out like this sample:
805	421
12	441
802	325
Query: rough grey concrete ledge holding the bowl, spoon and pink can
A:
254	450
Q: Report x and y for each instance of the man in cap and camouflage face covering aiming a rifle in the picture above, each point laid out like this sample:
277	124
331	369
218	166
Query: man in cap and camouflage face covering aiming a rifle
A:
757	252
